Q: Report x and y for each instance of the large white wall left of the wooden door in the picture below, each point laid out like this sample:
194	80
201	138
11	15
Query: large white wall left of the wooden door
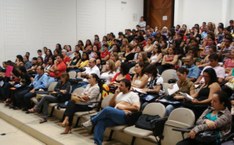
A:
28	25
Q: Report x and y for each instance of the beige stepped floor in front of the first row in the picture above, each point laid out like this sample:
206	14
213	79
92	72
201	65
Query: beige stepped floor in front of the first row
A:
24	129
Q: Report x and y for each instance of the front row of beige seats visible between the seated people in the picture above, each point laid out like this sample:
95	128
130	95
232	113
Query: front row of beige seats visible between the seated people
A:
180	117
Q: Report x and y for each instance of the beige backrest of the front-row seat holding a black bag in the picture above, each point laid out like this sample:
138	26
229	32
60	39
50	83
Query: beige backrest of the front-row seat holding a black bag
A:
155	109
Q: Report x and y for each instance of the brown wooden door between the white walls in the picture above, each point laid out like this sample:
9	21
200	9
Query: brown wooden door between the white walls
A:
159	13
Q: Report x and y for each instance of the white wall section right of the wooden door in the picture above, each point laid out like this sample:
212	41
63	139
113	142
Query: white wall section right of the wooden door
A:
197	11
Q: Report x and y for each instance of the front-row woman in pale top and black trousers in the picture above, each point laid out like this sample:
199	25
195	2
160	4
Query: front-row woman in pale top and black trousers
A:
81	102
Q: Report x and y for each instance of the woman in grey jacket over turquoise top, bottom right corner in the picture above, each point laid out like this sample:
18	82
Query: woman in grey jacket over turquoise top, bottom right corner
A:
217	118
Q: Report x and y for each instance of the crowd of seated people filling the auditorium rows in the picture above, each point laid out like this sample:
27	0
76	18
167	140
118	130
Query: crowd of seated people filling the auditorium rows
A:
202	56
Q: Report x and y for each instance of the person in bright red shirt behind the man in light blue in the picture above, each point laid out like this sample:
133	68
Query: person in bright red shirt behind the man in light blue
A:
58	68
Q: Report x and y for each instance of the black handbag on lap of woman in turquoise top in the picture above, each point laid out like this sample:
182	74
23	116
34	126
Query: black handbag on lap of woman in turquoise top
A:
210	136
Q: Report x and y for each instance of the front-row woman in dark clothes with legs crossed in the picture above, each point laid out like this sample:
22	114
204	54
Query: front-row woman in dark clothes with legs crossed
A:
59	95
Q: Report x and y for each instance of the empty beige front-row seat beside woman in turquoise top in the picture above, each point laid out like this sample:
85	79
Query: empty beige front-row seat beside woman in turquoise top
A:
180	117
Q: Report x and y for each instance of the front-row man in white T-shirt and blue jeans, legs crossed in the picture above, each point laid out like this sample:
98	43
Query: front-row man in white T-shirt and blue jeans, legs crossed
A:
122	103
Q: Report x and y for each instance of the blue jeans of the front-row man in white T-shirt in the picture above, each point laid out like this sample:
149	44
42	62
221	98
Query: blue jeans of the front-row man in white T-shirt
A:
108	117
